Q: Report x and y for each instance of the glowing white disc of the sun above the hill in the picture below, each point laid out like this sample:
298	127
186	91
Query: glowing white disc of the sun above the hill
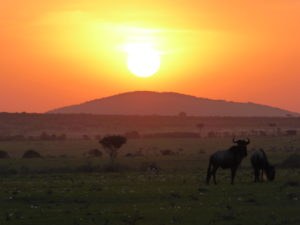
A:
143	60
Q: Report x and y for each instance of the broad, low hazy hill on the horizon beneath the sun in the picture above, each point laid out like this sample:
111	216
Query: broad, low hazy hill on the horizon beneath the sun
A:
169	103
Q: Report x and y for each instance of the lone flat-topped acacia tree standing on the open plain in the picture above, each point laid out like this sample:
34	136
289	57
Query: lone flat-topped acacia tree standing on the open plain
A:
112	144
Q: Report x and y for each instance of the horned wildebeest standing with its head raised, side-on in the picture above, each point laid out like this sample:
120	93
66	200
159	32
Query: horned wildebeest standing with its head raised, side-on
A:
227	159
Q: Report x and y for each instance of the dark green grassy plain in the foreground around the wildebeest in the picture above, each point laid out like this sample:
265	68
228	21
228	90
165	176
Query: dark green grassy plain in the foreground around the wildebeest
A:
71	189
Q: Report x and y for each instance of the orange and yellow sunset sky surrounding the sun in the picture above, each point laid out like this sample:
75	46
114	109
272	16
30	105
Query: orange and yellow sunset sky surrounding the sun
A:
64	52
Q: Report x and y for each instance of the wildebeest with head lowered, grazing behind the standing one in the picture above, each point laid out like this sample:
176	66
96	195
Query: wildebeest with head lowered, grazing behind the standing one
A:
260	164
